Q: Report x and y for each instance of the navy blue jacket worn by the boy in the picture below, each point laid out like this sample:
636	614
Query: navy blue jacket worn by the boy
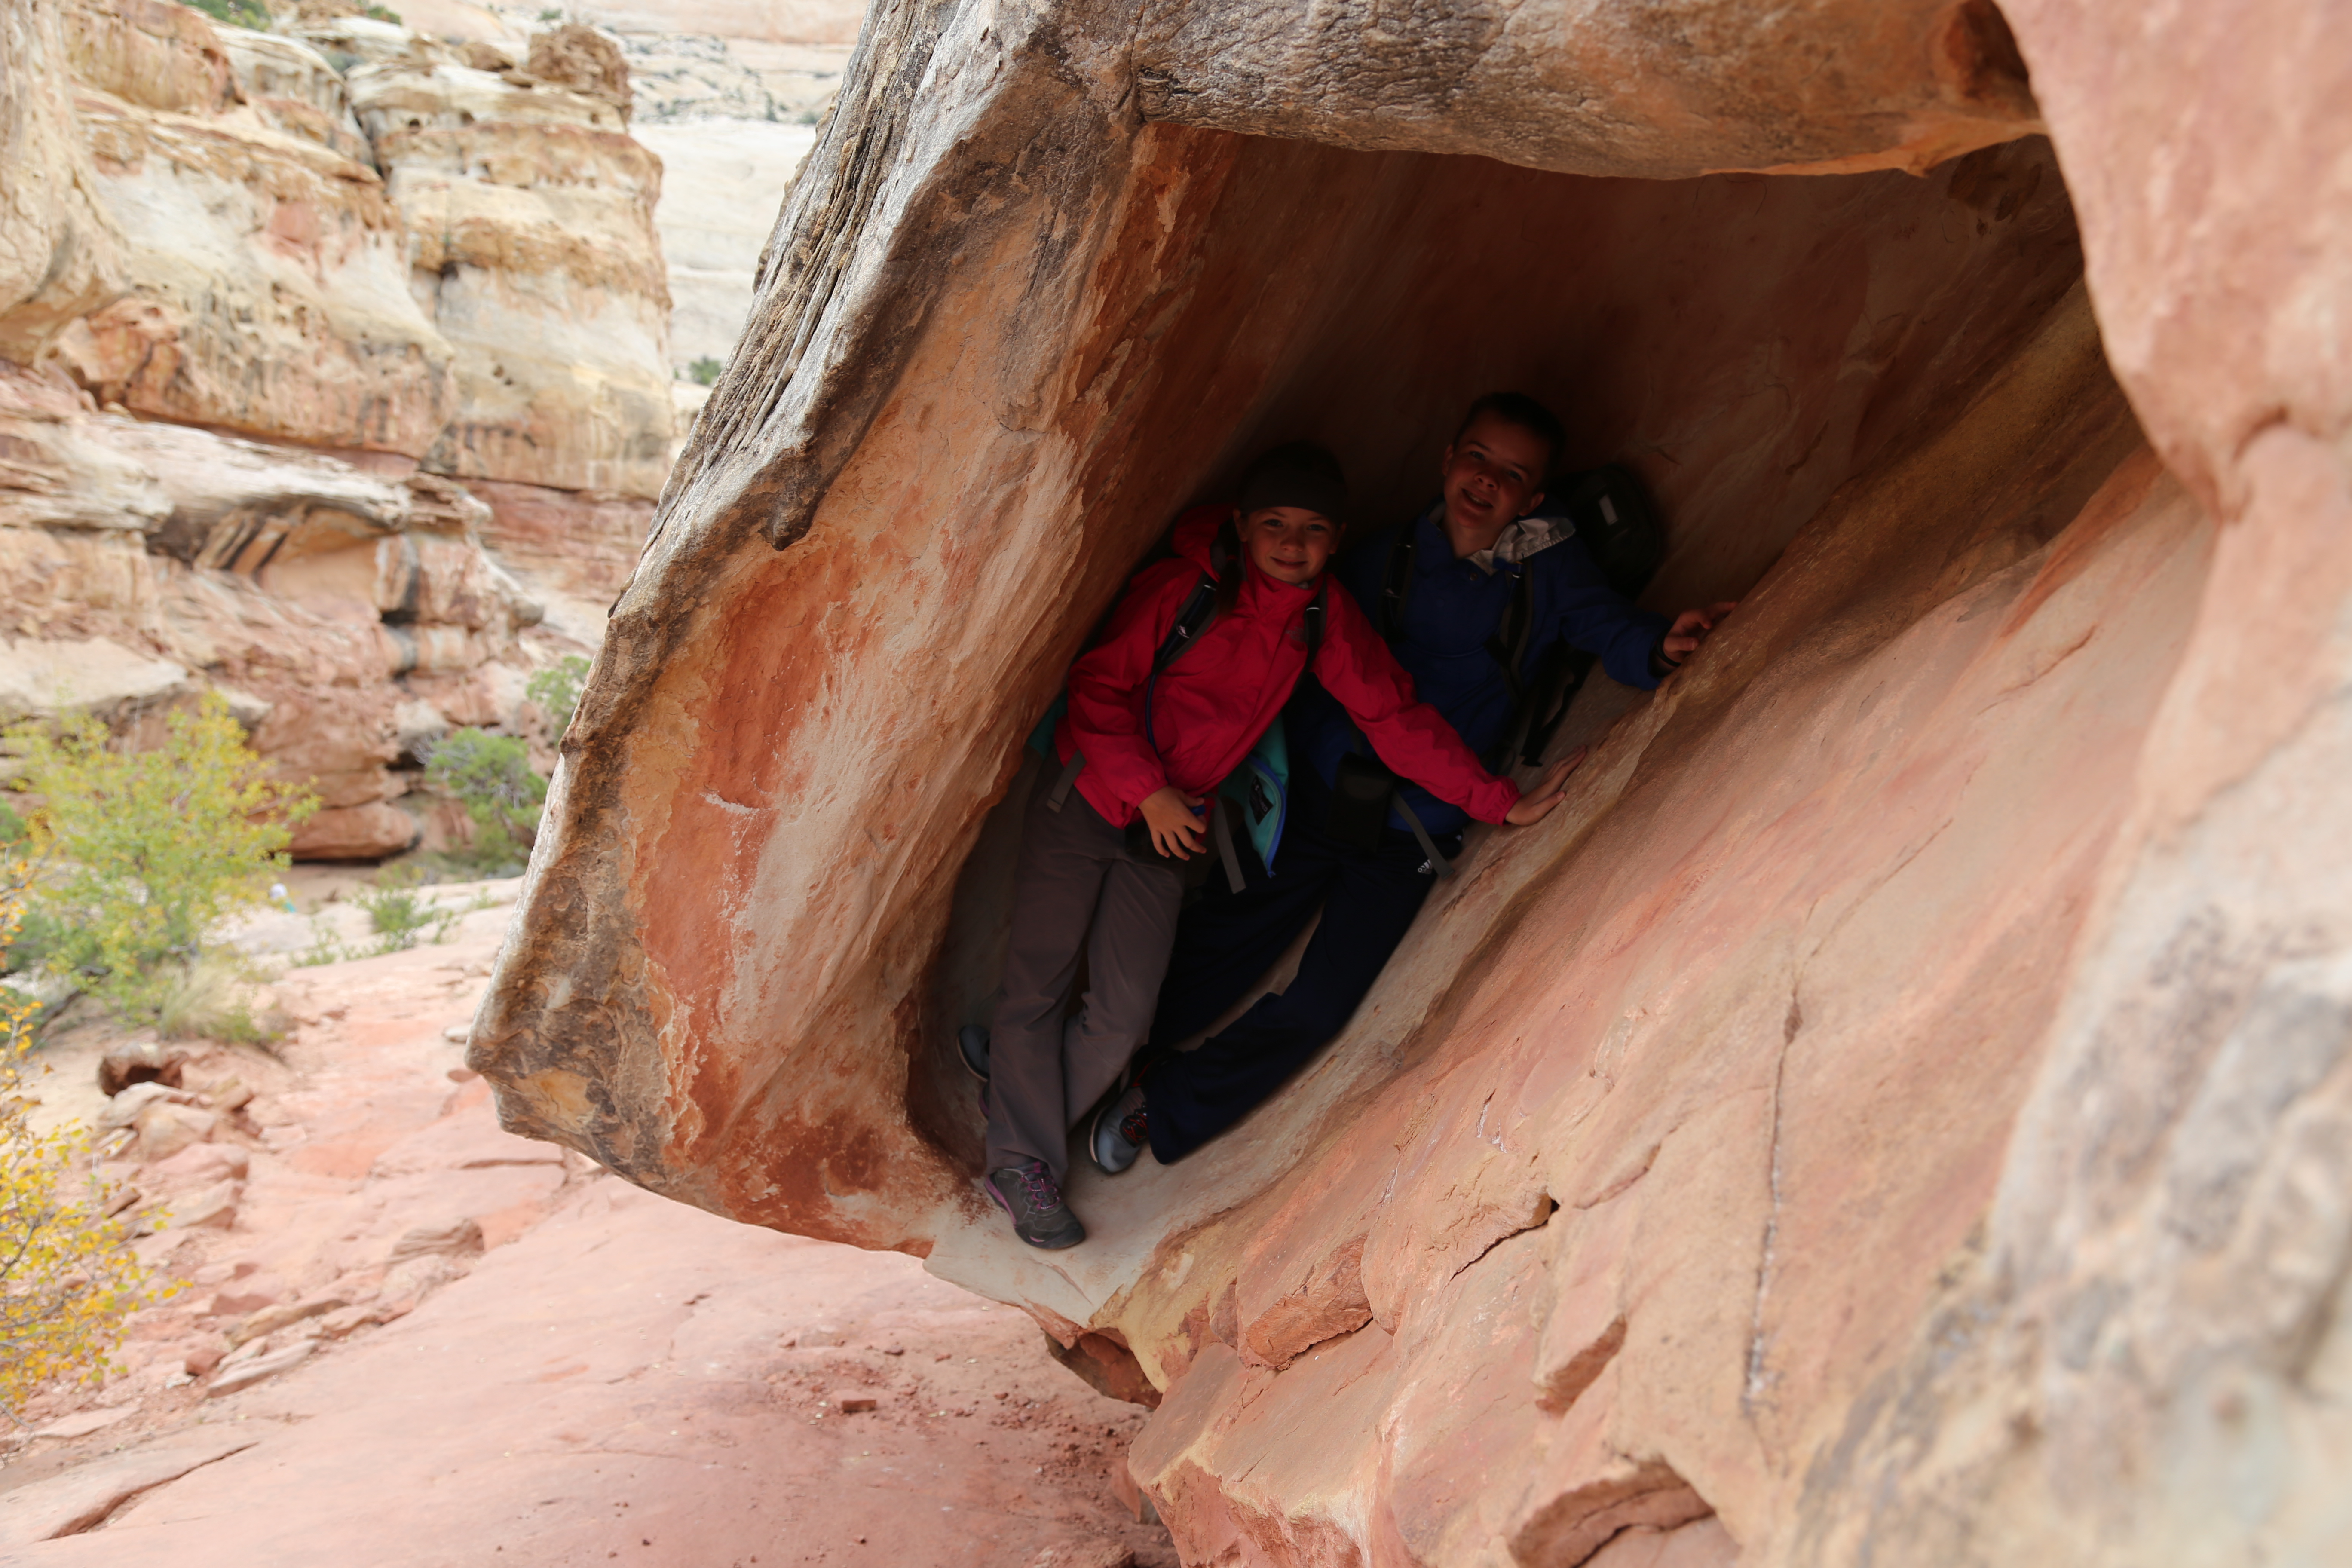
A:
1450	615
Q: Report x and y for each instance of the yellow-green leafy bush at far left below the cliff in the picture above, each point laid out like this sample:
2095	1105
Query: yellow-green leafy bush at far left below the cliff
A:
149	850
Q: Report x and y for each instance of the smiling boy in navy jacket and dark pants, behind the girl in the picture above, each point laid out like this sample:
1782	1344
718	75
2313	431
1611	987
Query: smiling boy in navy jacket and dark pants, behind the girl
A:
1466	561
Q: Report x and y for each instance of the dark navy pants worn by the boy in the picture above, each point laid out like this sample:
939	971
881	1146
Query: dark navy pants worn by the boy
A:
1229	942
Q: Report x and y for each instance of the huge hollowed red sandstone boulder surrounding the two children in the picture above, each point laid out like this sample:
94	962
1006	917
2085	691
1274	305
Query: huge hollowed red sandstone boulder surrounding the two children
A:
1897	1108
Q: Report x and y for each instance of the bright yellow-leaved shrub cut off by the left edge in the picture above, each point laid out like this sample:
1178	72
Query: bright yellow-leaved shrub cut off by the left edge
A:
67	1273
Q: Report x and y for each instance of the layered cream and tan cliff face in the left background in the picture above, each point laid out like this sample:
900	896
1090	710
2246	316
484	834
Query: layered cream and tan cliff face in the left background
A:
267	302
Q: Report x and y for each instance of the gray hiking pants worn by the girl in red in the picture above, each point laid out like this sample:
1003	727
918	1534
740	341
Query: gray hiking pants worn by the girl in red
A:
1076	890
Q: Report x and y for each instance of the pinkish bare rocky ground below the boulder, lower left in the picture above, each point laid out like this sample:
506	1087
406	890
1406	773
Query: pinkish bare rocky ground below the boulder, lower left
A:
467	1348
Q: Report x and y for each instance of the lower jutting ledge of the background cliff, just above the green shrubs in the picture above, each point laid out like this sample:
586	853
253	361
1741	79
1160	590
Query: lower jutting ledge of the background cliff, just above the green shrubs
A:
145	561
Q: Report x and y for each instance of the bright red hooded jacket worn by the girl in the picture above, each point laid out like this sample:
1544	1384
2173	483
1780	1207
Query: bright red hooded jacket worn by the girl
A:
1212	704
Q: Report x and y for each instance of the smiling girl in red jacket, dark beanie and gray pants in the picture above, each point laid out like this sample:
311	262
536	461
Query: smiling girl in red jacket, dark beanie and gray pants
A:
1151	749
